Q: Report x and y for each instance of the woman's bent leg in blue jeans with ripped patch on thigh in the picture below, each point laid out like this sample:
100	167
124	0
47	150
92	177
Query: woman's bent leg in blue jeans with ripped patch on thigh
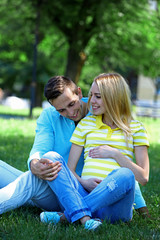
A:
113	198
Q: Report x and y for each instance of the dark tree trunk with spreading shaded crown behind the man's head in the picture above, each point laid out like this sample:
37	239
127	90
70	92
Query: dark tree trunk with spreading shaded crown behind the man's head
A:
77	20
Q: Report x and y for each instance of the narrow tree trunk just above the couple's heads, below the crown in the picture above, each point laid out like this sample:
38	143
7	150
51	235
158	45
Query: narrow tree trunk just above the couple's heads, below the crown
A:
75	62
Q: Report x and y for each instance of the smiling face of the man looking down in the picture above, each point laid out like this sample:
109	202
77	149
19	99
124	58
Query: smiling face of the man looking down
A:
68	104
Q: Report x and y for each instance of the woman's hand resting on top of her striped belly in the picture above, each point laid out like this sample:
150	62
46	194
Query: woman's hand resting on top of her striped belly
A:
103	151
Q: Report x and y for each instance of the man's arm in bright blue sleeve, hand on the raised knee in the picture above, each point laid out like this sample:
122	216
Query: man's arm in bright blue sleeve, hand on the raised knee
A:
43	143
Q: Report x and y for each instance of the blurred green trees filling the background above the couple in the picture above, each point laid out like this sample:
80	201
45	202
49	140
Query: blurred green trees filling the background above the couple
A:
80	39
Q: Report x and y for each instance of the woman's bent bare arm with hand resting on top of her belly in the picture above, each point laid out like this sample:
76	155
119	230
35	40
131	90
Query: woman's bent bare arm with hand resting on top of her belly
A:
140	168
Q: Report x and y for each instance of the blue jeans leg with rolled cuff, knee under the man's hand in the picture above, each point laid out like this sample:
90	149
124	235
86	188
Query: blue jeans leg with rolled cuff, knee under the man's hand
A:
67	188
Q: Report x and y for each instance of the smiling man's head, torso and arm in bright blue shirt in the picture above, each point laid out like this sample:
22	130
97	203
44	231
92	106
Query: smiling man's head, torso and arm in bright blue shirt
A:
56	127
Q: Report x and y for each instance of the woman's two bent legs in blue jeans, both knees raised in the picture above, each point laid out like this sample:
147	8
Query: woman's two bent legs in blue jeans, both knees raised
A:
117	189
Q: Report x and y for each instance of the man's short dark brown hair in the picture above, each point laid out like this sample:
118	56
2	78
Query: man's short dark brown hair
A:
56	86
